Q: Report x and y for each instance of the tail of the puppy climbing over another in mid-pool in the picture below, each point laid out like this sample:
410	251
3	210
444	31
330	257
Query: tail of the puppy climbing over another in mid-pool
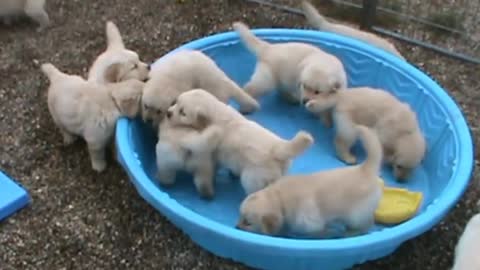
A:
290	149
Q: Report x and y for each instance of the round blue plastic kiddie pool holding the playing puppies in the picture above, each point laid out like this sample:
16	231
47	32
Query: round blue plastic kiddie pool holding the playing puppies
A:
442	177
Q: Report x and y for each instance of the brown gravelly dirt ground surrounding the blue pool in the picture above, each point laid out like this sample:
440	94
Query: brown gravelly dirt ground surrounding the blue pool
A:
82	220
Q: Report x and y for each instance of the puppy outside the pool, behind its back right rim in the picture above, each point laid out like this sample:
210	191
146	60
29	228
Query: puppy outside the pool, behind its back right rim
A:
319	22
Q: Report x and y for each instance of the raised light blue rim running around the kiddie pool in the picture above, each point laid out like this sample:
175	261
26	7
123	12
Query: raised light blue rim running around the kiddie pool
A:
397	234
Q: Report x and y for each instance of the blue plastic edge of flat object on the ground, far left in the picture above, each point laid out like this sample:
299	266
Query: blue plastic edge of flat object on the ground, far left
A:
16	203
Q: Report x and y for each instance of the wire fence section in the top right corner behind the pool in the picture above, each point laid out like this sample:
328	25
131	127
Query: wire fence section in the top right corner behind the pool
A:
450	27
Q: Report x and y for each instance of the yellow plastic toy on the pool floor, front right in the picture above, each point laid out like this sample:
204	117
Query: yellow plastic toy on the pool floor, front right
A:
397	205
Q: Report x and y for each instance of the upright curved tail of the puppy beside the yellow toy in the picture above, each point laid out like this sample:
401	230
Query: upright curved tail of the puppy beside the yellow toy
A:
374	150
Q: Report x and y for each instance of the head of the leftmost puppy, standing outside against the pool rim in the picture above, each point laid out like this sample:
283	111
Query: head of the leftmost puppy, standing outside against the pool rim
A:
127	96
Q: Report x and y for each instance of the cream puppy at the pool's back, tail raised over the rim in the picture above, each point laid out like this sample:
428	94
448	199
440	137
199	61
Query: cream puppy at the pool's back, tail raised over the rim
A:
292	68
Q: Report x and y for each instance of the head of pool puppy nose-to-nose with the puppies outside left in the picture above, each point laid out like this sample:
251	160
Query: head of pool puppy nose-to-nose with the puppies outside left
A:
156	102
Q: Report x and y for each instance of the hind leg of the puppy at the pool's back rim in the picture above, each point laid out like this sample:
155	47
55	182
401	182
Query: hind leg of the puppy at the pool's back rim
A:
261	82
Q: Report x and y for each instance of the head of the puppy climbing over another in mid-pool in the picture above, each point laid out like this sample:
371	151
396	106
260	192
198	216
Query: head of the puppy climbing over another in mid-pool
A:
192	109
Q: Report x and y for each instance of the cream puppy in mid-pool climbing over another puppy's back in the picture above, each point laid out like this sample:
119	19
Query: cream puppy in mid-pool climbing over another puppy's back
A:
247	149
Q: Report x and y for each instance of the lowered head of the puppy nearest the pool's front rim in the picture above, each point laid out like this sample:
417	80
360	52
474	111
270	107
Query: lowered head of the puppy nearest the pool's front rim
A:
259	214
